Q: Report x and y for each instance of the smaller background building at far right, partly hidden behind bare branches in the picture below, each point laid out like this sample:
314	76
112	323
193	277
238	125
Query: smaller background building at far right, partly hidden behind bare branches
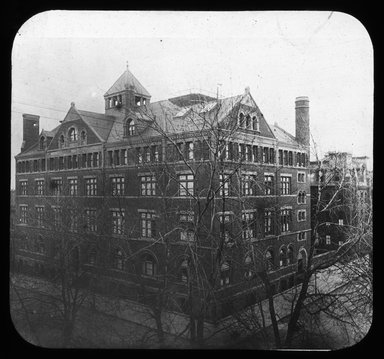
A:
342	184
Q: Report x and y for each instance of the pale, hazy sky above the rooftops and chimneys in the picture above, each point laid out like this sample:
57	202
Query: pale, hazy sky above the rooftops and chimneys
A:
59	57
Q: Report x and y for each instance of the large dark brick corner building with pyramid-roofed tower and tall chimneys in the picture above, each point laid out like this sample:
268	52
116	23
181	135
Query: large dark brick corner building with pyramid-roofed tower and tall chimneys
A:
192	191
